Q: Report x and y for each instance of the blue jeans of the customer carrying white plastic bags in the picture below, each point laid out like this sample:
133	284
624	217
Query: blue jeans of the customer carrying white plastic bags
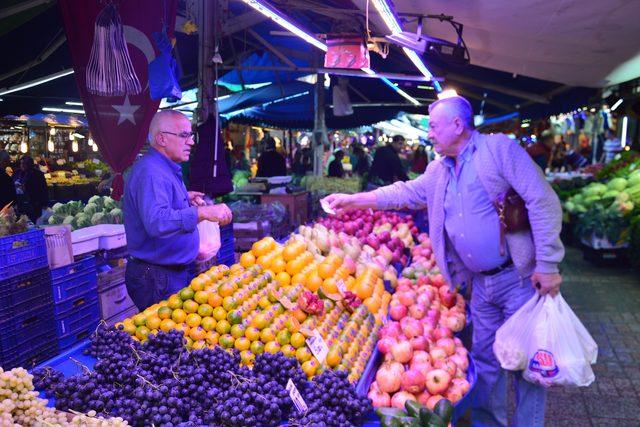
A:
493	300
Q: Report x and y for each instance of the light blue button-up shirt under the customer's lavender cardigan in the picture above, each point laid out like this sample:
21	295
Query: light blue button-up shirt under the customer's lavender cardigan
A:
471	220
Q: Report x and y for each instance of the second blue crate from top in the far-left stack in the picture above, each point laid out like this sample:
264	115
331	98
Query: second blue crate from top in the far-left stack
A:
20	293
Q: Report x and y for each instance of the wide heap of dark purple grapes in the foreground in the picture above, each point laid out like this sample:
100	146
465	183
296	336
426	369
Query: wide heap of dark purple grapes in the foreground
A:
159	382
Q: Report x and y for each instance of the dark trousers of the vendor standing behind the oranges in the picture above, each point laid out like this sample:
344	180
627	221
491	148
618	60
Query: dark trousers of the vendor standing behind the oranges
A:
148	284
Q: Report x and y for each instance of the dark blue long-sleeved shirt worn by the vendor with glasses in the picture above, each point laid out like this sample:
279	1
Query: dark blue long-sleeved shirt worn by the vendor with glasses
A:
160	224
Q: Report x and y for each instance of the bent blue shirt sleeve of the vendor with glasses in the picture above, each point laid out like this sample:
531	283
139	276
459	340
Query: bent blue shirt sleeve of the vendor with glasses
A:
159	217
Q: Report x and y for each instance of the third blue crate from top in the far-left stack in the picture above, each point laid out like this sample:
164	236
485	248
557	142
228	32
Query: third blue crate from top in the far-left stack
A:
22	327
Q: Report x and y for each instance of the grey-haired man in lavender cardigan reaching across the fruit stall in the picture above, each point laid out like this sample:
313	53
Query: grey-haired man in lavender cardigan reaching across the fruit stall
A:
500	271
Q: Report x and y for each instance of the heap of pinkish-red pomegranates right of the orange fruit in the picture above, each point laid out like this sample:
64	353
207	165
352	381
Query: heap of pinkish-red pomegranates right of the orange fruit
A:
423	361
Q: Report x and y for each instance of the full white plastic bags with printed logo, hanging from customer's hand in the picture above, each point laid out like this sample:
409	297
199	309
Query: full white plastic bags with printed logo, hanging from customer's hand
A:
546	340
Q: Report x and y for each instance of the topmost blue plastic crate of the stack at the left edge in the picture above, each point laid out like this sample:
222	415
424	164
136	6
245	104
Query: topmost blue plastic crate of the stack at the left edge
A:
21	253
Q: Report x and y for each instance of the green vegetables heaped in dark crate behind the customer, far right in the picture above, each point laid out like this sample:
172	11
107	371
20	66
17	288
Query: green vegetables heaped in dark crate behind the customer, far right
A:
605	210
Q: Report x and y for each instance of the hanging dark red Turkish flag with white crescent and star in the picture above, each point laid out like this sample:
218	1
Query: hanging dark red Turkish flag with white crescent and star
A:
118	124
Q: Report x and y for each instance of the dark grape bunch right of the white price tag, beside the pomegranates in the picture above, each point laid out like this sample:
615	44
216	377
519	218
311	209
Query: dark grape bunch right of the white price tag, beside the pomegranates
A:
332	402
